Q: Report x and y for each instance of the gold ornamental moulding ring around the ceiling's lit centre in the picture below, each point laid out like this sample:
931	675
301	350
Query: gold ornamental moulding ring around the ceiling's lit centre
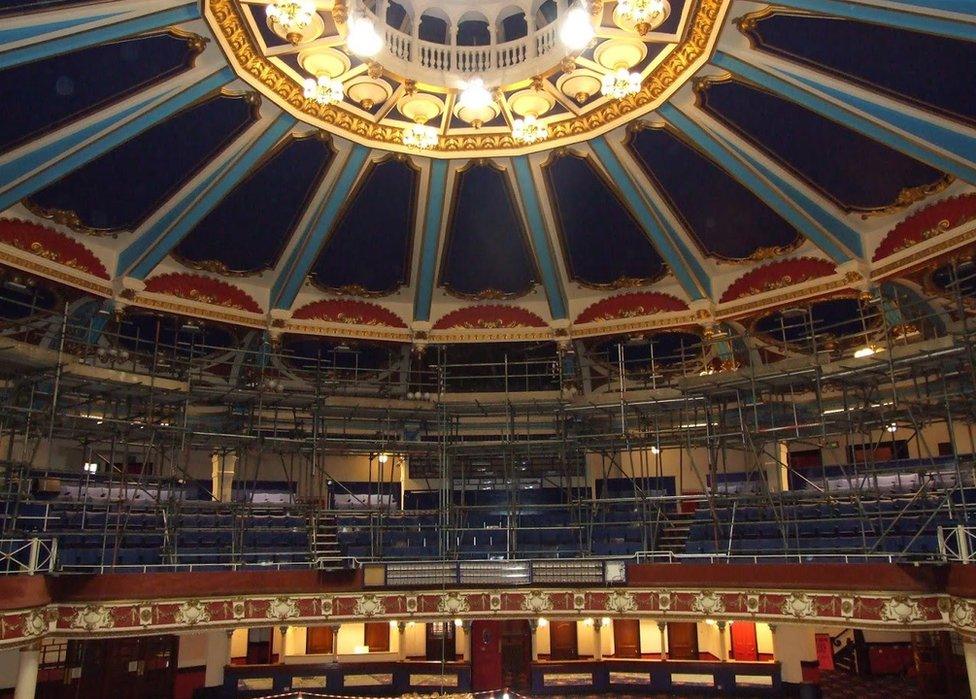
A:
249	62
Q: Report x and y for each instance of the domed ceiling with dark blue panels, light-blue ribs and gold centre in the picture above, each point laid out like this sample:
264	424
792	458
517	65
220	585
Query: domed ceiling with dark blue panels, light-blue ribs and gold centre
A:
161	154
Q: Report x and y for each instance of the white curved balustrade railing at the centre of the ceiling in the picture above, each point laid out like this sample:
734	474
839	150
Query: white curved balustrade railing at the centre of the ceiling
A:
418	59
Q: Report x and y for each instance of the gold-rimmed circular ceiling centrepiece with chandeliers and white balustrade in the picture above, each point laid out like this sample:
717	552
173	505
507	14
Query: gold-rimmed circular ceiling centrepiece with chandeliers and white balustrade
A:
576	60
